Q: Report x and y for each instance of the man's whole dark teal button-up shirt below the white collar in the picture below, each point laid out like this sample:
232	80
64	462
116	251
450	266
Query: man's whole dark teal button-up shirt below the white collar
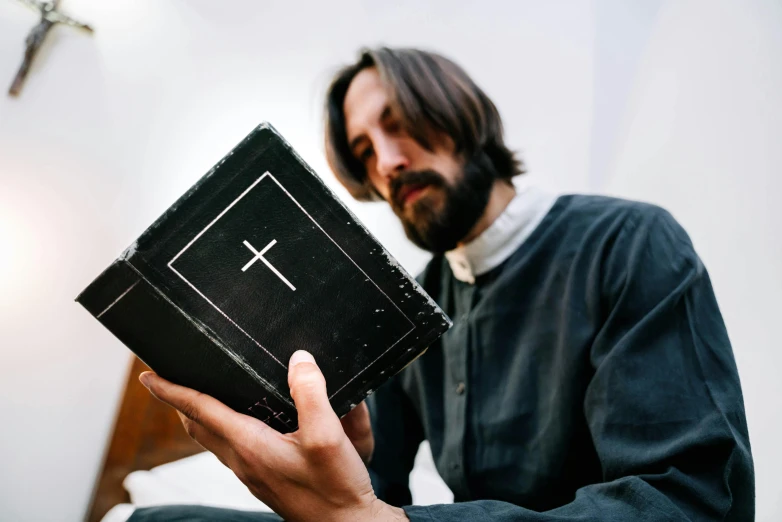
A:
588	377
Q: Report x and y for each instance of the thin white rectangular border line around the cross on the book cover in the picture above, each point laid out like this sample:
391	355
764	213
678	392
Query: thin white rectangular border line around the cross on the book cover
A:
246	191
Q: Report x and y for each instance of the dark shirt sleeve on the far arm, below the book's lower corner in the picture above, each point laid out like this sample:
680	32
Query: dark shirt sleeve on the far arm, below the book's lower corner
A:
398	434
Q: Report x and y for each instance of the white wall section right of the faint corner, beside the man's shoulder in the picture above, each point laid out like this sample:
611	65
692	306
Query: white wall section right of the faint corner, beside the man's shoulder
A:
701	134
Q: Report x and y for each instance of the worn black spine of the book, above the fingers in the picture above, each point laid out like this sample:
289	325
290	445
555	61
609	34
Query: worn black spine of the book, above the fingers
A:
176	346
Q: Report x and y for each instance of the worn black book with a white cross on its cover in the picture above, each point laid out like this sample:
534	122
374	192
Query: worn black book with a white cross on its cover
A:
257	260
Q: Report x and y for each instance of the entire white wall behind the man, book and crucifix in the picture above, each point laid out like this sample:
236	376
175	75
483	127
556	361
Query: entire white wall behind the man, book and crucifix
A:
110	130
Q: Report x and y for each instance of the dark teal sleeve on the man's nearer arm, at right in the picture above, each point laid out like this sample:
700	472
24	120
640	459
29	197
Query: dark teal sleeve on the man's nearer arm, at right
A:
664	405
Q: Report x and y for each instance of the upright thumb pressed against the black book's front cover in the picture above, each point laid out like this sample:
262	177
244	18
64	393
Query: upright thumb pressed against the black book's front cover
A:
308	390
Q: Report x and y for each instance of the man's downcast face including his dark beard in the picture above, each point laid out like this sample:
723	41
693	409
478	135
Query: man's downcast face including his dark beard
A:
437	197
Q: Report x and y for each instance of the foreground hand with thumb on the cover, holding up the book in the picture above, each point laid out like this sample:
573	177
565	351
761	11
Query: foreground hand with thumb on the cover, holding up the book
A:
314	473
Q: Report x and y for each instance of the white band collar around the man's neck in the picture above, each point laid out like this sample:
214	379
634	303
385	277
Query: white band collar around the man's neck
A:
503	237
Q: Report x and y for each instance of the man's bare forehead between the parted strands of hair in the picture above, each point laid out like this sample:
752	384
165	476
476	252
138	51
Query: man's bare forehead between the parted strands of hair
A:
365	101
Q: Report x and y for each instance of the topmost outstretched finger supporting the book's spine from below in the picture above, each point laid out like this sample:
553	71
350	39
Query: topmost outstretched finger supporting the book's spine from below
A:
196	406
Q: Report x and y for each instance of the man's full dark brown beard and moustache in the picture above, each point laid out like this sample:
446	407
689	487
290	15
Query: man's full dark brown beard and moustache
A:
437	224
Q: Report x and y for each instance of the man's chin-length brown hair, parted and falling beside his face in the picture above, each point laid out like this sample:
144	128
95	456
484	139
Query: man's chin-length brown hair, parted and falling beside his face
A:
431	95
